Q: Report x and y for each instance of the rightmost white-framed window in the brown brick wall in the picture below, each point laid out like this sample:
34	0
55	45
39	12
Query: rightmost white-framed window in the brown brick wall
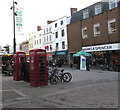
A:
111	26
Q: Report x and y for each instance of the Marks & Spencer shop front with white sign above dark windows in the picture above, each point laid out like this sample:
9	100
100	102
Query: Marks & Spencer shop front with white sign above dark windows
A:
105	53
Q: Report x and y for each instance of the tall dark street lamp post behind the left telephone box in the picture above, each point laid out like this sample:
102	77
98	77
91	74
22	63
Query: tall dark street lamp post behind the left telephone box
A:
14	14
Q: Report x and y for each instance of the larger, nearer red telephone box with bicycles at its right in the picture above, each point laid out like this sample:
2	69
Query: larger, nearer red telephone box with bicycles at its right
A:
38	67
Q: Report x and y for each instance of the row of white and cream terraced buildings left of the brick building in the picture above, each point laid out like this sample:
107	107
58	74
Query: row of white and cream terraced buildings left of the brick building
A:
53	38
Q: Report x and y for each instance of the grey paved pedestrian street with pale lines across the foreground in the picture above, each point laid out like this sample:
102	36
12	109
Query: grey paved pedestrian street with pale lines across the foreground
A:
88	89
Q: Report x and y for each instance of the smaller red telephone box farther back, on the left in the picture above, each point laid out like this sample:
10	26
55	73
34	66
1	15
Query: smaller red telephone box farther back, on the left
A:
19	60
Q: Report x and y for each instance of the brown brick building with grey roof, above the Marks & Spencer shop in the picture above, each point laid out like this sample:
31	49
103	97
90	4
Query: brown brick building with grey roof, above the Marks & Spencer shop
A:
96	29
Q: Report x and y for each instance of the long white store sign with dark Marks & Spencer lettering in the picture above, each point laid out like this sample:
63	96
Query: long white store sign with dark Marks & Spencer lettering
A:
105	47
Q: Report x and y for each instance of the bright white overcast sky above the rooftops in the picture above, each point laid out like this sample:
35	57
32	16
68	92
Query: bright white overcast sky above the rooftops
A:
35	13
